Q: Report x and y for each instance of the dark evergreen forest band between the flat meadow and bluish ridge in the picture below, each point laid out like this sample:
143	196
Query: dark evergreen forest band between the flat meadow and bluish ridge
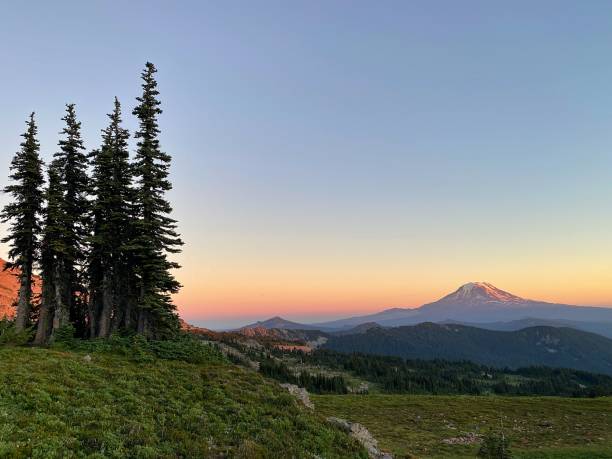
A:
395	375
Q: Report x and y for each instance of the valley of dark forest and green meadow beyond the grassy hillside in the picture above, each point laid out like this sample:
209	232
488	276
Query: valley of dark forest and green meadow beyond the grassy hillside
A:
421	409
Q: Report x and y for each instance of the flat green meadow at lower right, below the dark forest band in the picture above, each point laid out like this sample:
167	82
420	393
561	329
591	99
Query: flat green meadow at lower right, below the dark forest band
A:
538	427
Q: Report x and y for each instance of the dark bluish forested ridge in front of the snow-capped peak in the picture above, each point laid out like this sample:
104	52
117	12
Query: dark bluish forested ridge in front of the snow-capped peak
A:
555	347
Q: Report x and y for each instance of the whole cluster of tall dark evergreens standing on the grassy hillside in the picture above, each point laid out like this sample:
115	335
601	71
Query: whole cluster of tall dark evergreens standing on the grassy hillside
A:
99	230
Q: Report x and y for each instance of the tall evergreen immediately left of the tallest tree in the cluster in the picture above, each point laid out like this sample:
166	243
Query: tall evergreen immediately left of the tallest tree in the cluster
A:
111	180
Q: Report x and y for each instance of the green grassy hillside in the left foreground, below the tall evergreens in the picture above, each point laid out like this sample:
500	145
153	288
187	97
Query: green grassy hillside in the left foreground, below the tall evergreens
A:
55	404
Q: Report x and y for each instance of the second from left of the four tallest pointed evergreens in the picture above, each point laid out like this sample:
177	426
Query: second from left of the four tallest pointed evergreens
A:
72	163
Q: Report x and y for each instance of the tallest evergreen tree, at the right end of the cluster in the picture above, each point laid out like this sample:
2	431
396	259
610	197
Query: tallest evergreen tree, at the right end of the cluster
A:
156	234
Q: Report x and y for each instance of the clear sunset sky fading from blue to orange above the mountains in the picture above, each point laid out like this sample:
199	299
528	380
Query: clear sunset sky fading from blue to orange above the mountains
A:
332	158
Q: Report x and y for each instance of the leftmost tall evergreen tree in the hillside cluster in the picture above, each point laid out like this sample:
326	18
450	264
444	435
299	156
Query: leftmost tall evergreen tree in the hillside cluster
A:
24	214
